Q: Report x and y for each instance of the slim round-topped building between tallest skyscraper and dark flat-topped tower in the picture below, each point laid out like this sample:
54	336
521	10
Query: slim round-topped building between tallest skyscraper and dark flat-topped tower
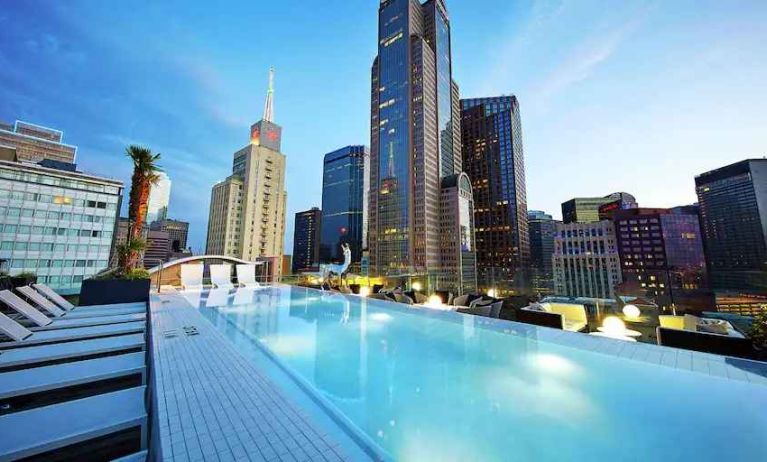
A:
457	241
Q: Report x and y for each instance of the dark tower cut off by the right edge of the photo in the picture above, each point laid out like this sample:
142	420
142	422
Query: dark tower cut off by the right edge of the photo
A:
733	211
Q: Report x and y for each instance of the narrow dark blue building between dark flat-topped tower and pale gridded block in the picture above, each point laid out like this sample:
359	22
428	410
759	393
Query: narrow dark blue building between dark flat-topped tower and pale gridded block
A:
542	229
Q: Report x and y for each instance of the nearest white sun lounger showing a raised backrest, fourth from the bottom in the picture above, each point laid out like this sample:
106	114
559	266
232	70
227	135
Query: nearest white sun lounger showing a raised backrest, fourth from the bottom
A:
24	337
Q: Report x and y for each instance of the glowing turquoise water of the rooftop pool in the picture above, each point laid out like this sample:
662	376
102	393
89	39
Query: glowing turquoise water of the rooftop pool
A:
438	386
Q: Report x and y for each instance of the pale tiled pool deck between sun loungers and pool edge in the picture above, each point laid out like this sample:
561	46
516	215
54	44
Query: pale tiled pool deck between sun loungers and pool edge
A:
214	404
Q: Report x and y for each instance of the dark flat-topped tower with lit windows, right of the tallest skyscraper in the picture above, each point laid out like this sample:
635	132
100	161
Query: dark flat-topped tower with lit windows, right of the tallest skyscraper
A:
494	159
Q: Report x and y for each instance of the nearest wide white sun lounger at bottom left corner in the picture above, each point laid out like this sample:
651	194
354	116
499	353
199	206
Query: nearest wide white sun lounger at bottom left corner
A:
48	428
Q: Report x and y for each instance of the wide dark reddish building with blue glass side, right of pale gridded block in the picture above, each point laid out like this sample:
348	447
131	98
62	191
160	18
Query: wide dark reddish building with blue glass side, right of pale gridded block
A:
661	253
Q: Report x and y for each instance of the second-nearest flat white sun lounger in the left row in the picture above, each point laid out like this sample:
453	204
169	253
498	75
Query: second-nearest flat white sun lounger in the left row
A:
45	378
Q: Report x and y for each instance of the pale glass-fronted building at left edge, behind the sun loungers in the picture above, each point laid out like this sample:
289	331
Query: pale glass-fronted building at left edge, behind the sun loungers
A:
56	222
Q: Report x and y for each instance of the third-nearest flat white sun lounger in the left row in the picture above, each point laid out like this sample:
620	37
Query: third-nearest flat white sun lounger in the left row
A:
34	355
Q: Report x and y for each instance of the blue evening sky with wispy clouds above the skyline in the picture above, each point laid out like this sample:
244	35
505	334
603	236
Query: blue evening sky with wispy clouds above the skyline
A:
632	96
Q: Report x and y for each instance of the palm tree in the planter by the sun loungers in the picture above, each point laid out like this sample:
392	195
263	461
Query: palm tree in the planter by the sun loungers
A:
145	175
